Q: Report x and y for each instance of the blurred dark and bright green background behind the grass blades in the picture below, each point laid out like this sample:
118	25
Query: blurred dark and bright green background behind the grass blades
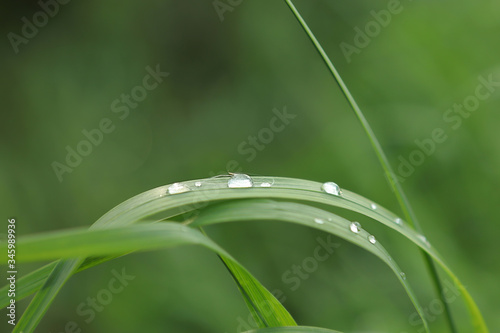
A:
225	79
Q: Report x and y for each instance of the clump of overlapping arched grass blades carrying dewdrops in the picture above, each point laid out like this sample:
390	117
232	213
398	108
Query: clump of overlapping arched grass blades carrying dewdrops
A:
114	235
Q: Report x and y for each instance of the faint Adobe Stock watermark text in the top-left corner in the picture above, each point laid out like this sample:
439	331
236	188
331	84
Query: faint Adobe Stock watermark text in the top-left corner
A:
30	28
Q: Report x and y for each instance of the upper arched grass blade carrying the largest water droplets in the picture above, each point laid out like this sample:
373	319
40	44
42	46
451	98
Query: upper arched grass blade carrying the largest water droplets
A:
155	201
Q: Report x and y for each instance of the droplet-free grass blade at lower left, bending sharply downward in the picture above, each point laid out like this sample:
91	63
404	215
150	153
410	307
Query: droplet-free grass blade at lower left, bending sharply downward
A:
116	241
